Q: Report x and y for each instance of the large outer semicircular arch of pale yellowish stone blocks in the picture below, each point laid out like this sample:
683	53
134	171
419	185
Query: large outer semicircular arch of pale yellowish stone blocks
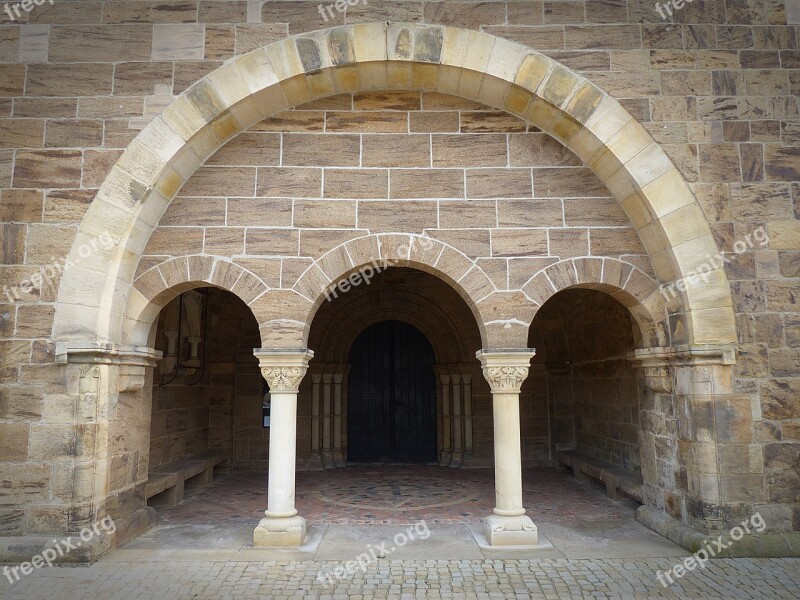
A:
371	56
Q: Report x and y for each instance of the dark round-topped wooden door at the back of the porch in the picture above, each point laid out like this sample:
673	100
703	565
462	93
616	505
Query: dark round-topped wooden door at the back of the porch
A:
391	411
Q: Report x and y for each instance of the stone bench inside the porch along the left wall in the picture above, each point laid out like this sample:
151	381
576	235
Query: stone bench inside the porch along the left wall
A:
167	484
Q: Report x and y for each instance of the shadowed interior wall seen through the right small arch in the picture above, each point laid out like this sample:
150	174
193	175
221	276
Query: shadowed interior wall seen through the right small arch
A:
582	340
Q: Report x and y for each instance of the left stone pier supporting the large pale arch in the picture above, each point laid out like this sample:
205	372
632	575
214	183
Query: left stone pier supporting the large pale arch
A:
108	391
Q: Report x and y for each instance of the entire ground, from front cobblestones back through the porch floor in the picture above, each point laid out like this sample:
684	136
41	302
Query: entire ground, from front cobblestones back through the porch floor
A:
181	564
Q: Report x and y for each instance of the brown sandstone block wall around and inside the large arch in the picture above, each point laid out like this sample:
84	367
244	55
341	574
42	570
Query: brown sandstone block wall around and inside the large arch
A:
717	87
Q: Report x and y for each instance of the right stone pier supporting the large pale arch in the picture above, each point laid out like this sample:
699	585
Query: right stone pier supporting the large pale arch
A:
690	421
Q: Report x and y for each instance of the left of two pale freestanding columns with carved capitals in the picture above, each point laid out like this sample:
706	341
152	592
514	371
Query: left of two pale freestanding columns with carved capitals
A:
283	370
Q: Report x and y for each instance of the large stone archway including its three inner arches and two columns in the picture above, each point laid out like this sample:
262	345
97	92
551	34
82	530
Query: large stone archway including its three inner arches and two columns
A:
104	310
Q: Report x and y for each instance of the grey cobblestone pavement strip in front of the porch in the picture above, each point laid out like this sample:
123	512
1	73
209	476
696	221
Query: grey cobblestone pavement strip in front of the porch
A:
728	578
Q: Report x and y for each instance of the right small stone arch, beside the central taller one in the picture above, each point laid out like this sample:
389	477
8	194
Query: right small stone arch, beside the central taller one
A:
625	282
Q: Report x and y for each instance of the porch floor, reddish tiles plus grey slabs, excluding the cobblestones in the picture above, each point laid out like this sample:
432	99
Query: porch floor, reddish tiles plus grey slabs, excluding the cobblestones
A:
349	508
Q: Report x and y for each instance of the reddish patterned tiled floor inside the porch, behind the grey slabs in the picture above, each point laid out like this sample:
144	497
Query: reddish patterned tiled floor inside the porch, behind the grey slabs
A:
393	494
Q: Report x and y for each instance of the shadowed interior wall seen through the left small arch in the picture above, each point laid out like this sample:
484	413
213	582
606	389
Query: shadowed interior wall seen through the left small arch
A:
218	404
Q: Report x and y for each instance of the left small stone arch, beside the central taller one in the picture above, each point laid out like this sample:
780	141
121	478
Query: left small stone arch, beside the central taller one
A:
161	283
